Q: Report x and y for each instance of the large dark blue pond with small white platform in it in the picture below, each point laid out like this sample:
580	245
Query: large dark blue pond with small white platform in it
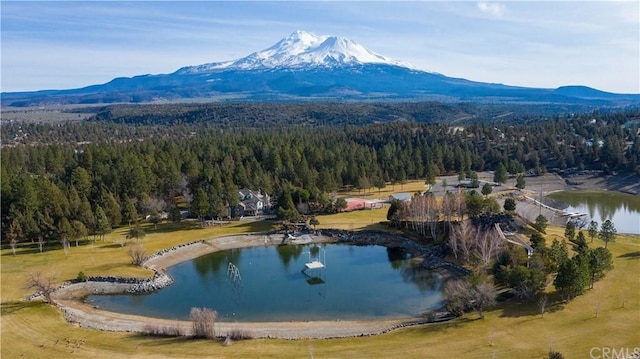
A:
268	284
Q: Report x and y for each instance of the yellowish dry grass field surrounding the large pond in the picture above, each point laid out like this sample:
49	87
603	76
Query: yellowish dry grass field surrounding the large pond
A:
606	316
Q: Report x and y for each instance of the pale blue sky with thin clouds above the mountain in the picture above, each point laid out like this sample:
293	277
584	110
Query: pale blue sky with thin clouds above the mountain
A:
69	44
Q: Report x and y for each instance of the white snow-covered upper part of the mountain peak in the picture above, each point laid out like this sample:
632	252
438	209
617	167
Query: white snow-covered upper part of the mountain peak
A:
301	50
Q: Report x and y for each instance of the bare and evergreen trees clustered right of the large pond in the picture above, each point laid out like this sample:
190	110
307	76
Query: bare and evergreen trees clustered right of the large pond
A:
479	246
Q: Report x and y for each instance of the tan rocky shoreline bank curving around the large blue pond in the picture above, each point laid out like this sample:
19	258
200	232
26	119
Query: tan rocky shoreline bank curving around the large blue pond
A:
69	297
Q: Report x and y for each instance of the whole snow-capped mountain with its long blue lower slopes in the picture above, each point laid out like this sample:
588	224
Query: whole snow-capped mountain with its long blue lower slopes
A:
303	67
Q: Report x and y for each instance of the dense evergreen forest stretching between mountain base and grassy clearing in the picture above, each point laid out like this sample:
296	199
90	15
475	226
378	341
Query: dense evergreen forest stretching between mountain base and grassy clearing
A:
70	179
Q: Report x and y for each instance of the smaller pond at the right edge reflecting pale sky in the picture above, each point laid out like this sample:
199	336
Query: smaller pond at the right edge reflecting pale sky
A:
622	209
